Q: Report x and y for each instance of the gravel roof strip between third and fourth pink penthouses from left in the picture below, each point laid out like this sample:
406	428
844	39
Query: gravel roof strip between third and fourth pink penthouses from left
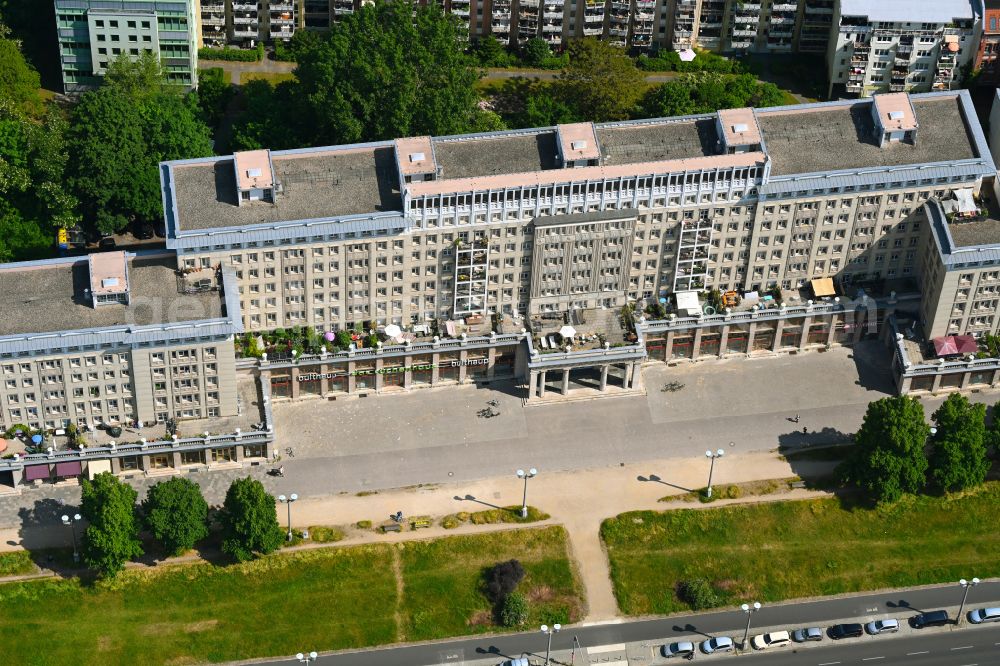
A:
628	144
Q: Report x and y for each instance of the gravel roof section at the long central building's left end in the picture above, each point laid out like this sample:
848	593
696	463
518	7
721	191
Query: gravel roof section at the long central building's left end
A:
314	185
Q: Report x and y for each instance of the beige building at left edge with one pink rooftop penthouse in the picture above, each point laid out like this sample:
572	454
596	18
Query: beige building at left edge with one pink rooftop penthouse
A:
114	338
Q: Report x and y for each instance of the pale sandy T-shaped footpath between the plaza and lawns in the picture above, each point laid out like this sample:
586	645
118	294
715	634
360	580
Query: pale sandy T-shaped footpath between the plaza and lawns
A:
579	500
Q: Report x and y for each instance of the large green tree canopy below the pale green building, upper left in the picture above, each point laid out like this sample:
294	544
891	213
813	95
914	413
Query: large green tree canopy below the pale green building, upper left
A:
119	134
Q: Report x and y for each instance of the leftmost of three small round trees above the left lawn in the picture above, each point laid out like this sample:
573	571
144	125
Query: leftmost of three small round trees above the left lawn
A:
112	537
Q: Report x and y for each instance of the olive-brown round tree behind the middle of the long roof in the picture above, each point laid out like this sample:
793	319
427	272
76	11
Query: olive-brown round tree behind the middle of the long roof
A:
601	80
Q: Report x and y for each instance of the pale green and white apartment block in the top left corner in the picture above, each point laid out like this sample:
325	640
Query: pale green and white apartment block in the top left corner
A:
91	33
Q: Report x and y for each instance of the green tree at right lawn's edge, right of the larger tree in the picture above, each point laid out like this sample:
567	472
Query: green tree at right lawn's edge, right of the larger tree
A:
959	457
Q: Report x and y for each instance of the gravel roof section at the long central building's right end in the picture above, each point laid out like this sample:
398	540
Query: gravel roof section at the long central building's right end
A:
843	138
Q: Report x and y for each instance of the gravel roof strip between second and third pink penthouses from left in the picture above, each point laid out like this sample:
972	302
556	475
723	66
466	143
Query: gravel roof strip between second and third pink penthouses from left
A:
474	158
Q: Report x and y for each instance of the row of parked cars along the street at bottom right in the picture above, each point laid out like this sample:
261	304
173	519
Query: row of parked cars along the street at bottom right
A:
688	649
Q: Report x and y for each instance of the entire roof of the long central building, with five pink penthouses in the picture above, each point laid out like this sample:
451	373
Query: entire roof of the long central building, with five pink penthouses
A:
808	146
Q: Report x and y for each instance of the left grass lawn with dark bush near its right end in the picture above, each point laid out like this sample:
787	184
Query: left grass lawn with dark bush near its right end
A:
319	599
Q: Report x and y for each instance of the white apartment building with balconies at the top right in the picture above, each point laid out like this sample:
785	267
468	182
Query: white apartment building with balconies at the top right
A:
898	45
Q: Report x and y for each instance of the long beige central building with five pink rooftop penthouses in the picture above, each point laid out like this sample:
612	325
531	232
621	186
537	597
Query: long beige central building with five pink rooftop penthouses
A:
336	236
